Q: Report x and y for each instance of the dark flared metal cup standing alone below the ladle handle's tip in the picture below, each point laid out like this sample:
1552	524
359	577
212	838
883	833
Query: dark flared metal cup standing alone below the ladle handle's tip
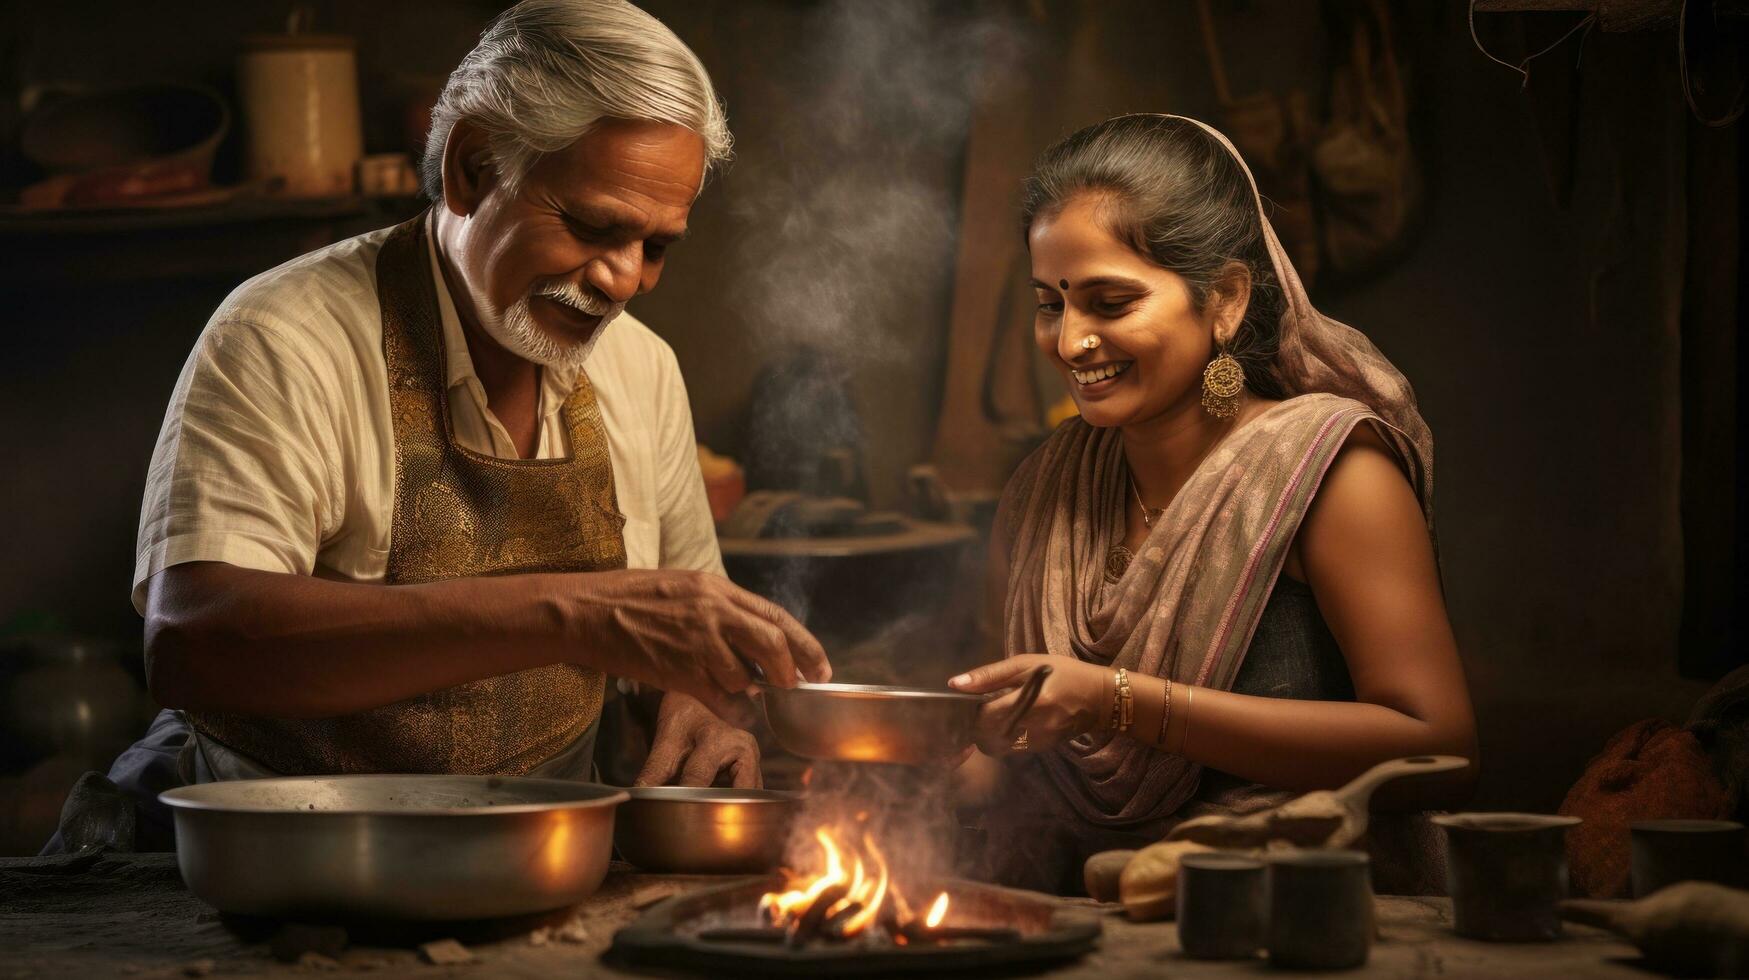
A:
1507	872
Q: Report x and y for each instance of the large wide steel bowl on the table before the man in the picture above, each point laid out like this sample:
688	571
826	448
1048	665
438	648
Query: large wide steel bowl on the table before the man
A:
403	848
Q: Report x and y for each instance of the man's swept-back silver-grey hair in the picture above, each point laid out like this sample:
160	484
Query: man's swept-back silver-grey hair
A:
545	73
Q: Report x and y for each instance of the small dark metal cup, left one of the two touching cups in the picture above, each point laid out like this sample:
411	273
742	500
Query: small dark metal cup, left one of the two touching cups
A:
1222	906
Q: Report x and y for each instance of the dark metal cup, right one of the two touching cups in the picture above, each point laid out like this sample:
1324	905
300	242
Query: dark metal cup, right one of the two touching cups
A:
1321	909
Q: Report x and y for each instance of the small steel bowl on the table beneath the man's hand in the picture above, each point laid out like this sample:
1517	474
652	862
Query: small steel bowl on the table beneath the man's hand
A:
686	830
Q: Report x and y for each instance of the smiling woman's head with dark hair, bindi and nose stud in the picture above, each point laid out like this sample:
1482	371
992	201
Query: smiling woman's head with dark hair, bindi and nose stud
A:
1152	258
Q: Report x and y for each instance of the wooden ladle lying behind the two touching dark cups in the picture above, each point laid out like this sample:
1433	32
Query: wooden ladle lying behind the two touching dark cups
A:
1325	818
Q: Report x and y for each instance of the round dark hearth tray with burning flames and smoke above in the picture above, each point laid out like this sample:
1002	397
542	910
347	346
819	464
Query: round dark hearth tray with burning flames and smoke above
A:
868	888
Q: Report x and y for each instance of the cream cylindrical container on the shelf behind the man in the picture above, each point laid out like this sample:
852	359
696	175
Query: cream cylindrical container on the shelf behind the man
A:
302	111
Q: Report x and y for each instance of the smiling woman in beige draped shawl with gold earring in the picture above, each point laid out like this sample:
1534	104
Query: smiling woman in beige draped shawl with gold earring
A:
1227	559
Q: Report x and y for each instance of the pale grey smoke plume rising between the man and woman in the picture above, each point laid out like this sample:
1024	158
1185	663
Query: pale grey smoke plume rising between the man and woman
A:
847	207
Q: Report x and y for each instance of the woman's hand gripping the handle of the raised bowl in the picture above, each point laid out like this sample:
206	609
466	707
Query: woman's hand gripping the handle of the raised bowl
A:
1077	699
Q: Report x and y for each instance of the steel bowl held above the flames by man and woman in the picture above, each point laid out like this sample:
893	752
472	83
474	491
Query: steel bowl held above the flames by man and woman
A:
870	724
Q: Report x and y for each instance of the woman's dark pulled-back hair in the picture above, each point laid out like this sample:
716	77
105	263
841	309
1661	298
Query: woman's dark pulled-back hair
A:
1181	200
